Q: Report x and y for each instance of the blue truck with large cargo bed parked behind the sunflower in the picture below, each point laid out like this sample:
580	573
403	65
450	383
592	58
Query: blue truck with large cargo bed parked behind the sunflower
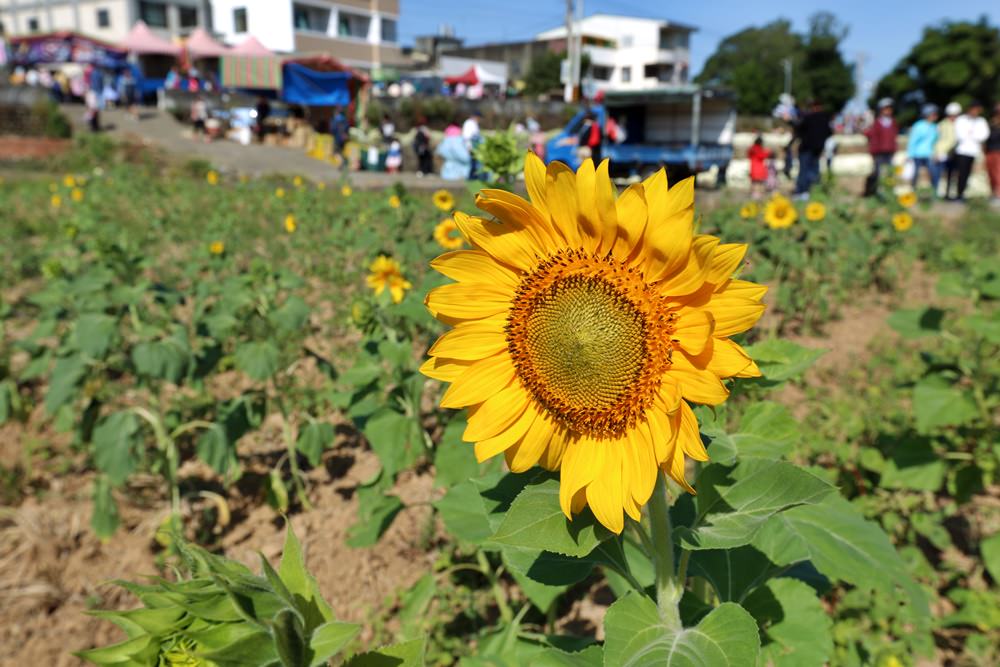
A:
686	129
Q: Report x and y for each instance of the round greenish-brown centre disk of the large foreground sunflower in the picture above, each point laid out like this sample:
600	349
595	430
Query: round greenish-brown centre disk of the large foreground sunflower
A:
587	343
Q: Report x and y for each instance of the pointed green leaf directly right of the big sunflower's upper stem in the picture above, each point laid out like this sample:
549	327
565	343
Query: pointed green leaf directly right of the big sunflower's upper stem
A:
743	498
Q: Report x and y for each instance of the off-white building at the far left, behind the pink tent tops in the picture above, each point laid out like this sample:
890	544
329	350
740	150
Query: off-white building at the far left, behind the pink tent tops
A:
108	20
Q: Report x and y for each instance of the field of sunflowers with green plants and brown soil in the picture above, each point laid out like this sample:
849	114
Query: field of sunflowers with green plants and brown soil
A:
271	421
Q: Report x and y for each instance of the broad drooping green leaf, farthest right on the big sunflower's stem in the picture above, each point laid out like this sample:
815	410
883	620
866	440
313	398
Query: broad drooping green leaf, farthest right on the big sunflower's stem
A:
842	545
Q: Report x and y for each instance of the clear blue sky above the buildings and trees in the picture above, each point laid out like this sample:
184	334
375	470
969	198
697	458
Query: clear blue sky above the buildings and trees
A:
882	29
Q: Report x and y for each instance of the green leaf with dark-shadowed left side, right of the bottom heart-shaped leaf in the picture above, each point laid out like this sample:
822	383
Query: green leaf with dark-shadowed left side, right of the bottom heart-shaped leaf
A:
795	625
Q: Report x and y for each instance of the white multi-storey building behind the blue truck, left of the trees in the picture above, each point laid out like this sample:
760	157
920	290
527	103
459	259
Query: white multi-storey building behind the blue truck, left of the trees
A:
630	53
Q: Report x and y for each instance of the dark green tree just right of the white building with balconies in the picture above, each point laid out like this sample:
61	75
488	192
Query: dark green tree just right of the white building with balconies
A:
751	62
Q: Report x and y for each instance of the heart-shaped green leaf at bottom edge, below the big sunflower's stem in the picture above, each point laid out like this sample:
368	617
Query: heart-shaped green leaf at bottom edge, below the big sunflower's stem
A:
636	637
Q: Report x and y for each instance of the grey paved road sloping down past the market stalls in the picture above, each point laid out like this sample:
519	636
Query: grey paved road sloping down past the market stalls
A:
162	130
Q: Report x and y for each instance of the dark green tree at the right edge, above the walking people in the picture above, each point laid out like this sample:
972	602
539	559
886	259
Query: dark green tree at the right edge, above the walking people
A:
951	62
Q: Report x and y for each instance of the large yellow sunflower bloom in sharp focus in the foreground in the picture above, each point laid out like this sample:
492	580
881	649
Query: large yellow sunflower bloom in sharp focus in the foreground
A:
584	326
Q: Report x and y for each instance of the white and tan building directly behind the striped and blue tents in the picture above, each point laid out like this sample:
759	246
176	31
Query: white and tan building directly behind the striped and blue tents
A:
360	33
